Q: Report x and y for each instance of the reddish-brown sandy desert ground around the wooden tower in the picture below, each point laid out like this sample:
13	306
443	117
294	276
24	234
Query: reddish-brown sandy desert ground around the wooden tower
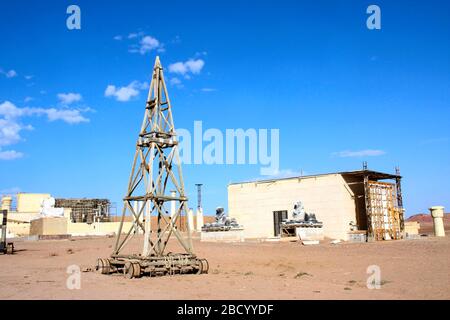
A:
410	269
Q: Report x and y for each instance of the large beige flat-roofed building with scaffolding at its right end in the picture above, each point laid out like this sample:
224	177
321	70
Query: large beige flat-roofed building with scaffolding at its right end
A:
346	202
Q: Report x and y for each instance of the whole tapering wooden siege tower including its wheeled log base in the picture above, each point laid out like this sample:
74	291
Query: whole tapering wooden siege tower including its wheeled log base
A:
156	169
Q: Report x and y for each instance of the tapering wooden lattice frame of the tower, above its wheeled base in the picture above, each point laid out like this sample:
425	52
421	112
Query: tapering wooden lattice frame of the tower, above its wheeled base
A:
156	135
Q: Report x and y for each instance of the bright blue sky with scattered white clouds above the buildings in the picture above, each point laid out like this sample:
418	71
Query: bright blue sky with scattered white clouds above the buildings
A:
334	88
